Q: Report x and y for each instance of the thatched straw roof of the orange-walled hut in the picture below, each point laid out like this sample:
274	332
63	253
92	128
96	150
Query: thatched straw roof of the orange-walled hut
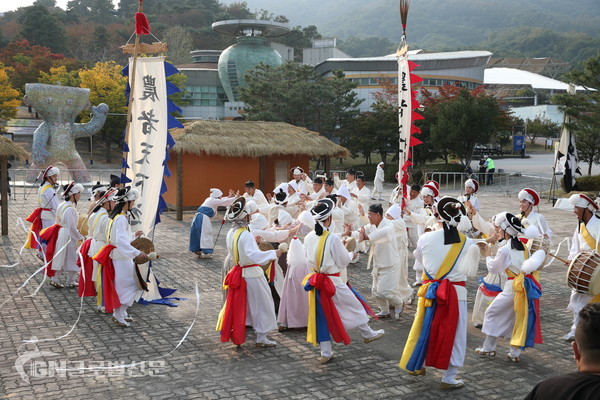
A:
252	139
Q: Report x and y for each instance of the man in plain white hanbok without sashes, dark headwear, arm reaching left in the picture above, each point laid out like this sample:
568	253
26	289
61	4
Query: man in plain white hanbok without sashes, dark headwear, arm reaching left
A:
385	261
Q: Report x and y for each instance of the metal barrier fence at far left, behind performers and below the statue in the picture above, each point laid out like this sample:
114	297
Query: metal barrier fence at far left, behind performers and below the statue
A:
24	181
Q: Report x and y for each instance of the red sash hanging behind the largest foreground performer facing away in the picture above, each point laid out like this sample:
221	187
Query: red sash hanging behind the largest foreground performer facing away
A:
443	326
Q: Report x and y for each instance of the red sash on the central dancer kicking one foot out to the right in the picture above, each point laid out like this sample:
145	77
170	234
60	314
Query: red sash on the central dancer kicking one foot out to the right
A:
326	288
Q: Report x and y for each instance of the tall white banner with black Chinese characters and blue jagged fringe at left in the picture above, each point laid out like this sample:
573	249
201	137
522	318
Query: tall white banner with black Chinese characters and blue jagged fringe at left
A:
147	138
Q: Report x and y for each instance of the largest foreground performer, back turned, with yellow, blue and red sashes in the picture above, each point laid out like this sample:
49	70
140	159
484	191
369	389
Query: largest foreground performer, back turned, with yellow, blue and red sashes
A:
438	337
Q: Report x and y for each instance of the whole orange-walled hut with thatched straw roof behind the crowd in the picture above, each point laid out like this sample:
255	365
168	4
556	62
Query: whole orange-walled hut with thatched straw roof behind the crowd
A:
225	154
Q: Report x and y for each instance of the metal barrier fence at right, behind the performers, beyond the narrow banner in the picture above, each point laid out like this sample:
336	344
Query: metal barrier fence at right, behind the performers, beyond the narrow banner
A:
506	182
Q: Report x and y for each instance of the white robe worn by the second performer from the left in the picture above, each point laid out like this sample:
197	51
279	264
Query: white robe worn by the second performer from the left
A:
66	259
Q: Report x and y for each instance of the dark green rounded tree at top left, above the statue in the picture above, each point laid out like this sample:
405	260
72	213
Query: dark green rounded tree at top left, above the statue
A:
43	28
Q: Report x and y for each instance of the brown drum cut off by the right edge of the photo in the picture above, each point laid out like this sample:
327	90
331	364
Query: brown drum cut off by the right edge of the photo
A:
583	275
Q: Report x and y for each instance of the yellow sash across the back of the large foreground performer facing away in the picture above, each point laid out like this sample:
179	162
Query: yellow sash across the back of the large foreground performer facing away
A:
423	303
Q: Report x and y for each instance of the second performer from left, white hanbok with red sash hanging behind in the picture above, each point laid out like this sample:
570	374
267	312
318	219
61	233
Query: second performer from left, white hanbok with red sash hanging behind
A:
61	252
